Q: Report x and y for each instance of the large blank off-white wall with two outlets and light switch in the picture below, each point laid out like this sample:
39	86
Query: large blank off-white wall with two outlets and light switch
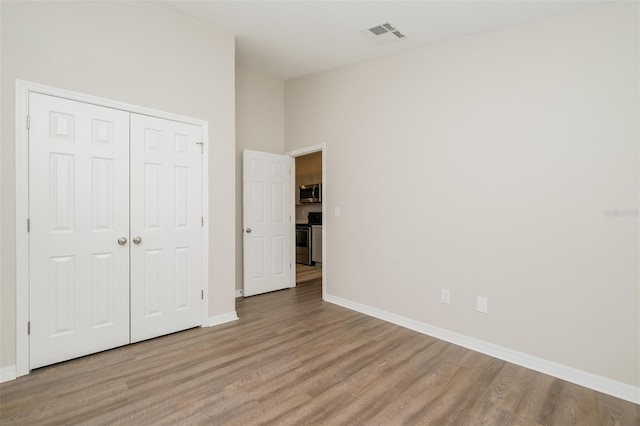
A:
485	166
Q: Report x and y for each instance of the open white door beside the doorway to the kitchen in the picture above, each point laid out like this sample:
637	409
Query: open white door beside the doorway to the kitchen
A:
266	222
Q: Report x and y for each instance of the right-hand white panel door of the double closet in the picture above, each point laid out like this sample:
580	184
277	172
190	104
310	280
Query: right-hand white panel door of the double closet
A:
166	226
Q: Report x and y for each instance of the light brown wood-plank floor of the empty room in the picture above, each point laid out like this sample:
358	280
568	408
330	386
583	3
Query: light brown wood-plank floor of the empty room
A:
293	359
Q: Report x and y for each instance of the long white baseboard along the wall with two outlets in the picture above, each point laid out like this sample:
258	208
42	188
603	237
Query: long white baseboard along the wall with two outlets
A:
589	380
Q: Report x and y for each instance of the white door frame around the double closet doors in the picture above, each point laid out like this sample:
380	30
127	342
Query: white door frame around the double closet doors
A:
23	88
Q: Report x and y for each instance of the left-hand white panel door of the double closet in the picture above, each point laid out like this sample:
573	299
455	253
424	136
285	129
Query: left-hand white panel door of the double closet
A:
79	209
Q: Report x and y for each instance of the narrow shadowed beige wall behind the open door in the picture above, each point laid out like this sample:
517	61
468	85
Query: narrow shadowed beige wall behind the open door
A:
259	127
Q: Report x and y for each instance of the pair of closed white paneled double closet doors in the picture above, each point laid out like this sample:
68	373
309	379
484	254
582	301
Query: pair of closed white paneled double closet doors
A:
115	228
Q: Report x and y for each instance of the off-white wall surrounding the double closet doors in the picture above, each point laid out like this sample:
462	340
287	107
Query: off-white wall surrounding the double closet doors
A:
142	53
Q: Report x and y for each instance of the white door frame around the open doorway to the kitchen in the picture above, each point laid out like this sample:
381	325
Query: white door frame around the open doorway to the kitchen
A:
298	153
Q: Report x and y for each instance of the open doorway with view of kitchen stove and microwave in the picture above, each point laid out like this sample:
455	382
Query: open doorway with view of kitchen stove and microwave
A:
309	212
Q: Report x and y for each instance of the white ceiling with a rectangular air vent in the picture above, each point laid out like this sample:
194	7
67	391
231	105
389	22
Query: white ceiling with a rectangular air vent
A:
293	38
